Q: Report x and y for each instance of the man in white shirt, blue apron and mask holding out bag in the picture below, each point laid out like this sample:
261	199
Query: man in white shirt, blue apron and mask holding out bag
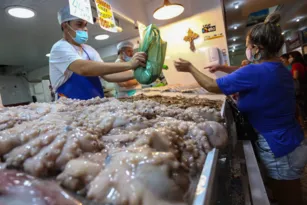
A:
76	68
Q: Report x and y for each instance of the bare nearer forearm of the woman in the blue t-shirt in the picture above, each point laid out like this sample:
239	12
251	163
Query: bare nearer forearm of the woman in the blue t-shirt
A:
204	81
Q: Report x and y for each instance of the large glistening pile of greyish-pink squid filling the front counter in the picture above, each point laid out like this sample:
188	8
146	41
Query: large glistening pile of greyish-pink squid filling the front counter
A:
110	152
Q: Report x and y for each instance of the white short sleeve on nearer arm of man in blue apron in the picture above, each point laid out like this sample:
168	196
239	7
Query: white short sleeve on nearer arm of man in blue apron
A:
62	55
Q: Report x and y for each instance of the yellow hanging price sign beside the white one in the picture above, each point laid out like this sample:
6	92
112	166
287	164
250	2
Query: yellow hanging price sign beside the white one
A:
106	16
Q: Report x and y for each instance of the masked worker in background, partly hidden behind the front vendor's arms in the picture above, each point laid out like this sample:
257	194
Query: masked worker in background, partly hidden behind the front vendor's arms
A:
125	53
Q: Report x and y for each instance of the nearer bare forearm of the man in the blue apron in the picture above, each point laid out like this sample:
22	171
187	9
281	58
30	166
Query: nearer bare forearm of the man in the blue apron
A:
93	68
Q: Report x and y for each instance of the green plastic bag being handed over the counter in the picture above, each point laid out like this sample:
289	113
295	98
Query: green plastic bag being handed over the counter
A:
155	48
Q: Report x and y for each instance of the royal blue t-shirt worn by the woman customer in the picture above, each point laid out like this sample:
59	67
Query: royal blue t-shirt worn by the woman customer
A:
266	96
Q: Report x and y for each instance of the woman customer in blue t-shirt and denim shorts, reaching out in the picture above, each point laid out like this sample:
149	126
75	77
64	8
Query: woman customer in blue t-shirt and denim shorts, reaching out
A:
267	97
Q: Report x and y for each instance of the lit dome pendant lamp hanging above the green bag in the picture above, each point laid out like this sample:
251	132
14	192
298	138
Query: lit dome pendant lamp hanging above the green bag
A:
168	11
